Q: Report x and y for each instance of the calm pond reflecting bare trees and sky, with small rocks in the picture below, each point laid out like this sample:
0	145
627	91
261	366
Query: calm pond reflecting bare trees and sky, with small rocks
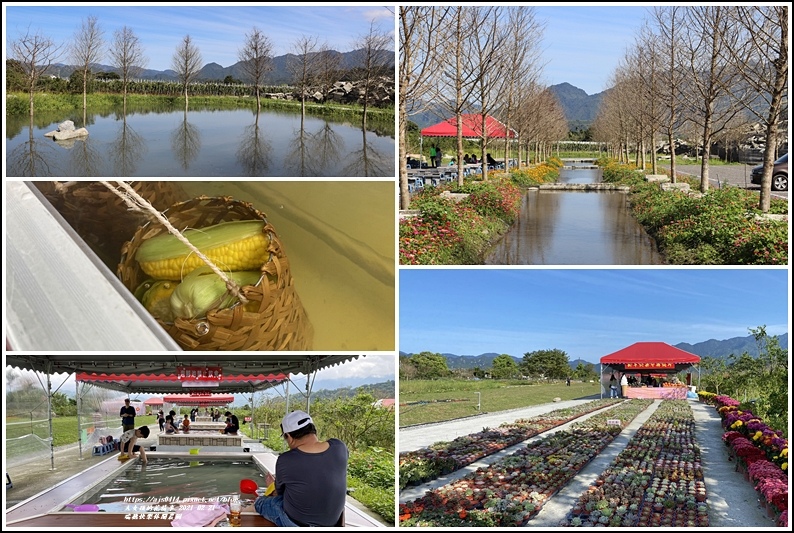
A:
199	143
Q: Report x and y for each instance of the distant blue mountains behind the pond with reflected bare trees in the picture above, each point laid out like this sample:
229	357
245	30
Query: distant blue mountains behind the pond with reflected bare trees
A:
279	75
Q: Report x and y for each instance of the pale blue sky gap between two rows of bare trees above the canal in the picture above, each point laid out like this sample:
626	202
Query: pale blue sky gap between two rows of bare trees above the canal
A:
583	44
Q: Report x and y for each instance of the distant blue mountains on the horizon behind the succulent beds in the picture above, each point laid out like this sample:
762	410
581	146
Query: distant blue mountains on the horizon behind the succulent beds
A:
710	348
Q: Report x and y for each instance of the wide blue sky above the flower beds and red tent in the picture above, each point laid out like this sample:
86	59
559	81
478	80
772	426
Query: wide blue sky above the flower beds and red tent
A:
588	313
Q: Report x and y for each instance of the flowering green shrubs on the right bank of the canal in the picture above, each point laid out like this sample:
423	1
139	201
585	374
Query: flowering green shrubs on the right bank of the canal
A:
716	228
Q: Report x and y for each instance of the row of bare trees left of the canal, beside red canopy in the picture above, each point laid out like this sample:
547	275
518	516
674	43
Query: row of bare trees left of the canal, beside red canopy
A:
481	60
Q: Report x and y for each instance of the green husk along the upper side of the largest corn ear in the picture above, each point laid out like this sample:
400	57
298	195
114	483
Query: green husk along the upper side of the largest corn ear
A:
167	246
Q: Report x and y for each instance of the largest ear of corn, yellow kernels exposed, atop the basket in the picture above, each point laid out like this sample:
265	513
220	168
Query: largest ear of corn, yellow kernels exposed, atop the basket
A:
232	246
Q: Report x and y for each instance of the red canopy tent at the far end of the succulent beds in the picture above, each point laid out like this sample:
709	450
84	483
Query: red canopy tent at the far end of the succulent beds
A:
649	358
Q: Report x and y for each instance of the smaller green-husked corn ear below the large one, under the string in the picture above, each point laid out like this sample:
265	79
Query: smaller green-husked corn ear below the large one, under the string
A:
203	290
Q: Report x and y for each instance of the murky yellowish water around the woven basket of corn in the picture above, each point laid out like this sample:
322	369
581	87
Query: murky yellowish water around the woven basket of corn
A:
339	239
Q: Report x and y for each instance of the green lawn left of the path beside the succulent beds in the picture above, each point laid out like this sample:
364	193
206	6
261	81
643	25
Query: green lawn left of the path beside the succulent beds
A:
494	396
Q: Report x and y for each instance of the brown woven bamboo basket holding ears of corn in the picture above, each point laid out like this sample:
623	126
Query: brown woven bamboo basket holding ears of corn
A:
279	322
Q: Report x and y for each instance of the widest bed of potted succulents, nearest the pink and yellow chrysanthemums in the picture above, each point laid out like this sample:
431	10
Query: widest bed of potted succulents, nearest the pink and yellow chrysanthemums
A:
657	480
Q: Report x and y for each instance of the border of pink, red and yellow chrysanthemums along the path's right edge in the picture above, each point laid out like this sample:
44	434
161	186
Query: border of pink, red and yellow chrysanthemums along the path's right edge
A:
761	454
